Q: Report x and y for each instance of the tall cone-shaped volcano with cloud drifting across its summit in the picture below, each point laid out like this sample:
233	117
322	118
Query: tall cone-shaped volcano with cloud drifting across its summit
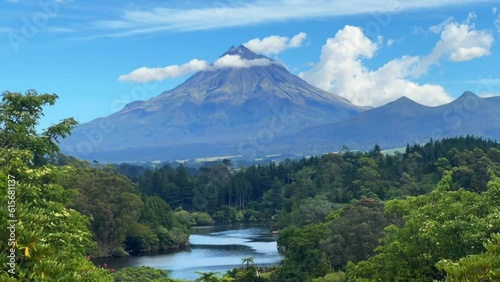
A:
225	110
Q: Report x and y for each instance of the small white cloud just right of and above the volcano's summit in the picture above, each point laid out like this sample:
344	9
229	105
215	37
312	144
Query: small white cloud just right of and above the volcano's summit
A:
275	44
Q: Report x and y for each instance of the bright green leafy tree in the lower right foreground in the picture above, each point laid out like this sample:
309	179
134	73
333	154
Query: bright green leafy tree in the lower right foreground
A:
441	225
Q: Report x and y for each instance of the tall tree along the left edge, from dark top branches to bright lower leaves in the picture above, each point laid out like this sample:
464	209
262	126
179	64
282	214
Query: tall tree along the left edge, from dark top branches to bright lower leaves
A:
51	241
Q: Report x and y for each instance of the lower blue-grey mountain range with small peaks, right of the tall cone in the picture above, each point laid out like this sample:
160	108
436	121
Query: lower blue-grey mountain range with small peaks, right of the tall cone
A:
401	122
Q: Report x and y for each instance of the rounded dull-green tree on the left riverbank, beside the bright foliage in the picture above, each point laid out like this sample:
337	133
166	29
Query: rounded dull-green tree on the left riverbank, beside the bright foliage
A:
109	200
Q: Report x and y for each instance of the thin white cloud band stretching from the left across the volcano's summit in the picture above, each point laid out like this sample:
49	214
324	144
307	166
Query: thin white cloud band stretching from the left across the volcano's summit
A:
145	74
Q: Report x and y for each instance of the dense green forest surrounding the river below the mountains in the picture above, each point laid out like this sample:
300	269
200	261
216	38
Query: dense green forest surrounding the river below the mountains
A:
429	213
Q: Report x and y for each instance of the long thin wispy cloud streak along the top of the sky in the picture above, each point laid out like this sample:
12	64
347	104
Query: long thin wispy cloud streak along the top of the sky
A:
136	21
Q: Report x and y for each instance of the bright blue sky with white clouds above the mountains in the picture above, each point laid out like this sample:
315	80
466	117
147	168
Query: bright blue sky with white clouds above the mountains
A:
99	55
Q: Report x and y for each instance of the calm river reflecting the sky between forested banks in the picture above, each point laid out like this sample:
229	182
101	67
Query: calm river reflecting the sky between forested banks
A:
214	248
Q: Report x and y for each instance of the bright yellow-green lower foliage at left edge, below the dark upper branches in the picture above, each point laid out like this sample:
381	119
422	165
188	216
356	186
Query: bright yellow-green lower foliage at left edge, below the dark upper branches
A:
51	240
